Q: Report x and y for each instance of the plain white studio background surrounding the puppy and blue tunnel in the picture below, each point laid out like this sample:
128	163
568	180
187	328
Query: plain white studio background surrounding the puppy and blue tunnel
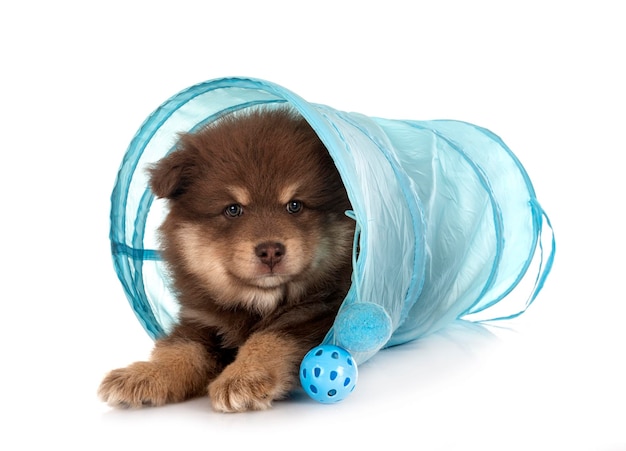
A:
78	79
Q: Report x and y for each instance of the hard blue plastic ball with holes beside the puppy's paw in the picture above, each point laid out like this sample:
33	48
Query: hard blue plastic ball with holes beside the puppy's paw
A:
328	373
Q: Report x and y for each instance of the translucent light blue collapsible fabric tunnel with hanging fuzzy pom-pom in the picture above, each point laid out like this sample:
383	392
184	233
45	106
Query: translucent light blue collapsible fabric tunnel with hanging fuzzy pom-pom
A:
447	220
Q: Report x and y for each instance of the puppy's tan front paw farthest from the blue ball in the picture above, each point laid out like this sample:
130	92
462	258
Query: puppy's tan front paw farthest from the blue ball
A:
140	384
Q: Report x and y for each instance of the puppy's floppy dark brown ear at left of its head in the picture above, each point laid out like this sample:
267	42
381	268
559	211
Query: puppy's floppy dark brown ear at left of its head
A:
171	176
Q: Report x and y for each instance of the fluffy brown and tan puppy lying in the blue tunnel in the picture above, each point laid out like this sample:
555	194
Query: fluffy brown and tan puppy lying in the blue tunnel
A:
259	250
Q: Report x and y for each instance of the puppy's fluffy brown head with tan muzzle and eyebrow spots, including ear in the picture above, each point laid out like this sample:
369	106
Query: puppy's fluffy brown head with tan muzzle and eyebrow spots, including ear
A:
256	210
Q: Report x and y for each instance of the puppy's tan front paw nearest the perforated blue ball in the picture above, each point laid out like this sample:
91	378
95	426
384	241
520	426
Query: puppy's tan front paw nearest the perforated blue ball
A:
241	388
